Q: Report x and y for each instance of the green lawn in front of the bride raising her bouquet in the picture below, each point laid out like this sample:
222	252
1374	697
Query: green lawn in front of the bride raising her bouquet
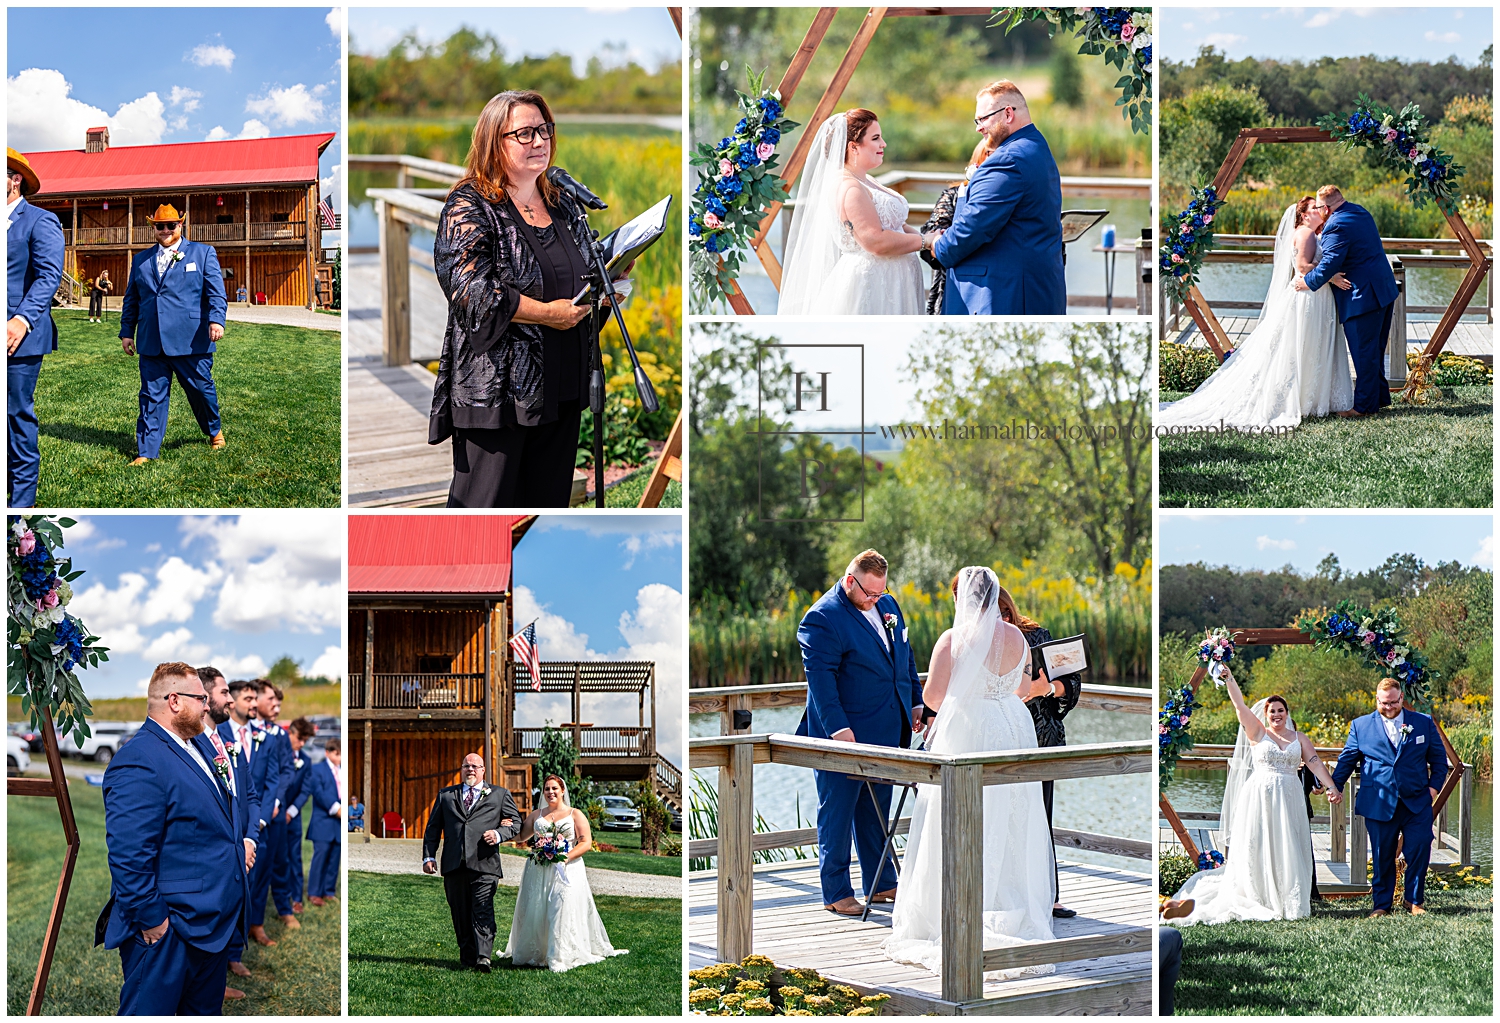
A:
1342	964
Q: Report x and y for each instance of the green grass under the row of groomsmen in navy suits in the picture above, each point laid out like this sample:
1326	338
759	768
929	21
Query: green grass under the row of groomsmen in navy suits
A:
299	977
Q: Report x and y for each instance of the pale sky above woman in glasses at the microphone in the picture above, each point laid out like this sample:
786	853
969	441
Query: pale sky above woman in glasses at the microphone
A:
644	35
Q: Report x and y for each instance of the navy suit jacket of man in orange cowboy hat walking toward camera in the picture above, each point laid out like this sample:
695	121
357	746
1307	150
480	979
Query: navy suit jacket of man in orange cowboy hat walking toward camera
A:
175	311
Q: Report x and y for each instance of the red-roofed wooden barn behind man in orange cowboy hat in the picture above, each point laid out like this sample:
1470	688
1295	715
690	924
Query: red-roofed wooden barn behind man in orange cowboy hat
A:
256	202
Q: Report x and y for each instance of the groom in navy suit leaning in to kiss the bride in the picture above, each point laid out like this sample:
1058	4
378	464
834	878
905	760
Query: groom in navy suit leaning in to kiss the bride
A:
1352	245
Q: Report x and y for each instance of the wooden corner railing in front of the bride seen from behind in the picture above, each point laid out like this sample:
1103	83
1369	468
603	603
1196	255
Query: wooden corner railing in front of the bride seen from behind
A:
962	781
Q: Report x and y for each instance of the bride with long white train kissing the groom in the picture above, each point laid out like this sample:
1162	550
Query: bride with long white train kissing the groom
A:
1295	364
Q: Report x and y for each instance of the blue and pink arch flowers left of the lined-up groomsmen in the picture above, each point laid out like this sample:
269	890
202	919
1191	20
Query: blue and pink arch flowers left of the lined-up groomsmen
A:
47	643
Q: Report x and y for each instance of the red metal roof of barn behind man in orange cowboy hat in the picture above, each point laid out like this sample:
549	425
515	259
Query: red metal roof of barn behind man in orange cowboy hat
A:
292	160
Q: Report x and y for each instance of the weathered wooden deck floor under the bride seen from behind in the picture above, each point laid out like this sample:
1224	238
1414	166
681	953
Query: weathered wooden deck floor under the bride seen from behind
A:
793	928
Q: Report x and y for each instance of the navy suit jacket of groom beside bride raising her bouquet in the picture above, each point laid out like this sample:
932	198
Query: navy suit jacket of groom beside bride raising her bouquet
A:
1390	776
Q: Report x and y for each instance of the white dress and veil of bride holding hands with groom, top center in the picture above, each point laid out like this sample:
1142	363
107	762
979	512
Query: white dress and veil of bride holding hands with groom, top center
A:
826	269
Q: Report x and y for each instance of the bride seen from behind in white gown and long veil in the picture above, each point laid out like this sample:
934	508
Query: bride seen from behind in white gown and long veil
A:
976	671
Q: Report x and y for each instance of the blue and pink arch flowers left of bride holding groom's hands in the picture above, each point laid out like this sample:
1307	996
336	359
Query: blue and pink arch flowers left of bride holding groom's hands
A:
736	188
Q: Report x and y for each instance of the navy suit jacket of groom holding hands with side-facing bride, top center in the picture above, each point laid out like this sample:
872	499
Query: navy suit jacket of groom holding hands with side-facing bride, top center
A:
1004	251
